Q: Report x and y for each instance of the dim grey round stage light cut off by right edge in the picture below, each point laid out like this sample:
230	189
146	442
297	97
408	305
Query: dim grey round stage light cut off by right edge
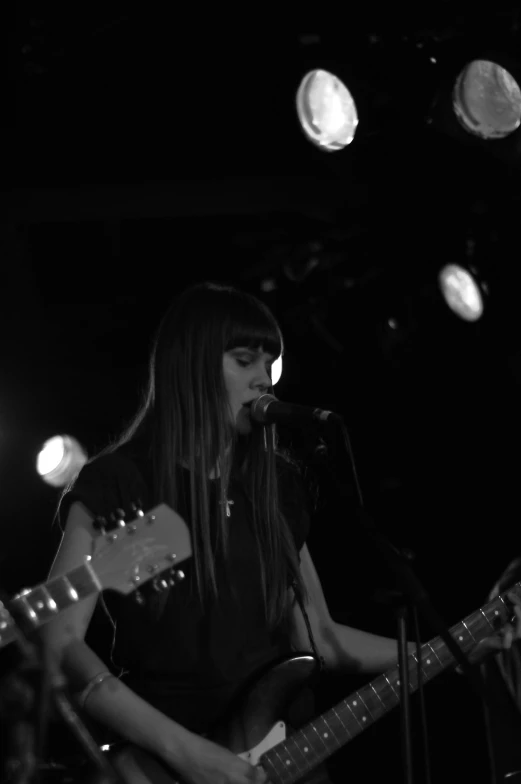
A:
487	100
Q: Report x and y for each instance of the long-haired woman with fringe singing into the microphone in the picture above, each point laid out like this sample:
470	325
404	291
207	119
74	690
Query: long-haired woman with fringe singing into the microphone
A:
179	661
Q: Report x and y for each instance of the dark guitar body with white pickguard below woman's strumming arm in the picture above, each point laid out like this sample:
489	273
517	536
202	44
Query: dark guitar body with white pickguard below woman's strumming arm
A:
254	726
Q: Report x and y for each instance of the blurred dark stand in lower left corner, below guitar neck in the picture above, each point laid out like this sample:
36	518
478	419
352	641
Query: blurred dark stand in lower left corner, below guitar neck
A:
32	691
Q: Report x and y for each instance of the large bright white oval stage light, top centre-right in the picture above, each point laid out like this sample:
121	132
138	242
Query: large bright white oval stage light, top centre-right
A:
326	110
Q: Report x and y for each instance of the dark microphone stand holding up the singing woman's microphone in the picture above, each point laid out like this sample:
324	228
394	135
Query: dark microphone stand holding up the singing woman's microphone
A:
412	591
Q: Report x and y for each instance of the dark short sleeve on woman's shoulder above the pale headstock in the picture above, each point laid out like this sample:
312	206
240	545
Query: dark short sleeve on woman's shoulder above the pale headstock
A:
105	484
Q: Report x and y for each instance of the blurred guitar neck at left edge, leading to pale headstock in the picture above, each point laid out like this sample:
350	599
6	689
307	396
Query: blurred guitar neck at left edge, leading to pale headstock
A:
39	605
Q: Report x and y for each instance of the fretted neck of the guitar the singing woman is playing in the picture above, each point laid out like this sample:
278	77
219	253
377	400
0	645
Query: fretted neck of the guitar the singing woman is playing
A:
301	752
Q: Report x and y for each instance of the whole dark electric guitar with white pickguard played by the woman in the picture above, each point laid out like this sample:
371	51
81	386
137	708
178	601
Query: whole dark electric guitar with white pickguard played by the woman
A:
257	733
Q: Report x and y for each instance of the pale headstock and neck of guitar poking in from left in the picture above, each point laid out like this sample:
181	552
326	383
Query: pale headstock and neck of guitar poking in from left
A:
123	560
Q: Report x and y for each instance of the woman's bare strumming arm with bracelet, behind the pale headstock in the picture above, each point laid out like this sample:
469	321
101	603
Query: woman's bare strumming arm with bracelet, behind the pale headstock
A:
111	703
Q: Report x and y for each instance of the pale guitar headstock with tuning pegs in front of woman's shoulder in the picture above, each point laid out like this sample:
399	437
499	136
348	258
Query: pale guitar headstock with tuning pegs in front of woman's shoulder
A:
143	549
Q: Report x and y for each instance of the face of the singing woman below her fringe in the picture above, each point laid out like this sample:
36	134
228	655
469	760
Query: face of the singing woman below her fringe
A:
247	375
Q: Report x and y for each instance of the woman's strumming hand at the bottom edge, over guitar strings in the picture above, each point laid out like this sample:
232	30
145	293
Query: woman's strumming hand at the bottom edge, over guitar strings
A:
205	762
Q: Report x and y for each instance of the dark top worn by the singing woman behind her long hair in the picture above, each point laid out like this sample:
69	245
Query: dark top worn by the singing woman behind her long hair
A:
188	663
